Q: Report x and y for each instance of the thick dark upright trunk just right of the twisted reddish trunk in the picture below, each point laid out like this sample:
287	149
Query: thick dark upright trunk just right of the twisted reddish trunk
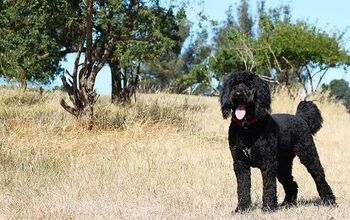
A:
116	80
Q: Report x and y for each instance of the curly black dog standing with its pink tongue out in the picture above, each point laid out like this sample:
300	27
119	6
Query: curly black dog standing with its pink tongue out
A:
270	142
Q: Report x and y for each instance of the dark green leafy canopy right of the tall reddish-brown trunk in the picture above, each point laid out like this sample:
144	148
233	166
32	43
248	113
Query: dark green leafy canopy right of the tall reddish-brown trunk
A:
140	31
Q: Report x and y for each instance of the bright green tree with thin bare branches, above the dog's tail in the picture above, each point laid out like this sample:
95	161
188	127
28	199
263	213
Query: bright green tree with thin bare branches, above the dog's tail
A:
300	53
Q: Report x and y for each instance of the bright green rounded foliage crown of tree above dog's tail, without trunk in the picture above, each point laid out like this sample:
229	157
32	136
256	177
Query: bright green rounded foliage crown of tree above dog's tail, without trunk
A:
301	44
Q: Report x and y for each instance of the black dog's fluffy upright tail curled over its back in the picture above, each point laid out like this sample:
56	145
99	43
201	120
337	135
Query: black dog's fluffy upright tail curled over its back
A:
308	111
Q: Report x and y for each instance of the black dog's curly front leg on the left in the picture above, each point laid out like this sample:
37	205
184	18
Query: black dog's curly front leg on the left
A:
242	171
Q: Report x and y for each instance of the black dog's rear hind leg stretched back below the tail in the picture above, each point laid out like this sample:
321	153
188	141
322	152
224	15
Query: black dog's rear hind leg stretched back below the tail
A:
307	153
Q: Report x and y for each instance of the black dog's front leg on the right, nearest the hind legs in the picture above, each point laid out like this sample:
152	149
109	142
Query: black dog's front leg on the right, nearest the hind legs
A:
269	174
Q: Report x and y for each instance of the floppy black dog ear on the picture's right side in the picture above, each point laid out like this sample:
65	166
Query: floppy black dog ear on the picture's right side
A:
262	98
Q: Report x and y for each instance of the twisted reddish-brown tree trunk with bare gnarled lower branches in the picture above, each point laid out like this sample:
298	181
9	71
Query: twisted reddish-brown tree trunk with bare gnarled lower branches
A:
80	87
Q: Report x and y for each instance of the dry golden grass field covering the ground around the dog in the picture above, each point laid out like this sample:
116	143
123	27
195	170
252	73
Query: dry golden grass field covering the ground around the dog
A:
164	157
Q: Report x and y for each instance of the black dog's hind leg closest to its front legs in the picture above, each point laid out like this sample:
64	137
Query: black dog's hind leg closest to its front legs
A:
286	179
